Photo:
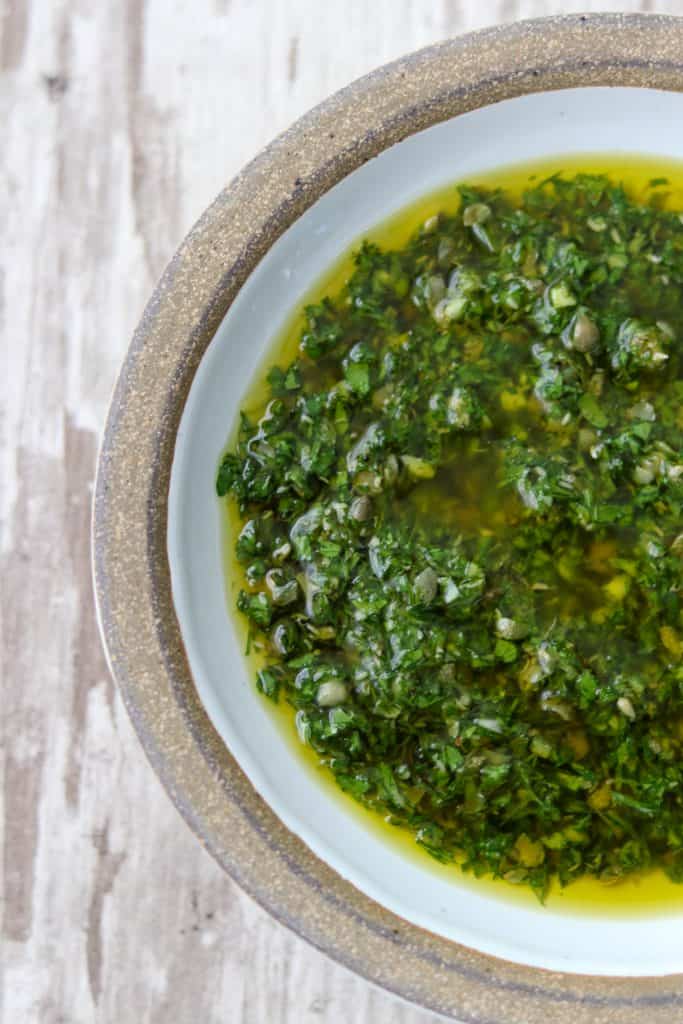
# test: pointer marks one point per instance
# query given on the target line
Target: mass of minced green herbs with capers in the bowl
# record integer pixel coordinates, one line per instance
(462, 533)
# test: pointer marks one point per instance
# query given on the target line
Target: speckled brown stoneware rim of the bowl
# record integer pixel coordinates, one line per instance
(132, 573)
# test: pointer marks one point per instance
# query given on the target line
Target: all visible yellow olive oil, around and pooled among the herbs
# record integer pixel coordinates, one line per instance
(458, 495)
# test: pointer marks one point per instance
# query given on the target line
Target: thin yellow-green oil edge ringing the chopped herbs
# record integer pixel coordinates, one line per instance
(645, 895)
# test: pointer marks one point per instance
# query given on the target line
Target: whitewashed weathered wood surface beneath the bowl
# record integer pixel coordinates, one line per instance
(121, 120)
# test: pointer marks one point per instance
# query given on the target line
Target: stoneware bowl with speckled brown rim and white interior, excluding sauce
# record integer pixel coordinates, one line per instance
(537, 91)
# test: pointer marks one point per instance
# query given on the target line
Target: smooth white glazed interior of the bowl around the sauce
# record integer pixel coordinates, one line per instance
(595, 120)
